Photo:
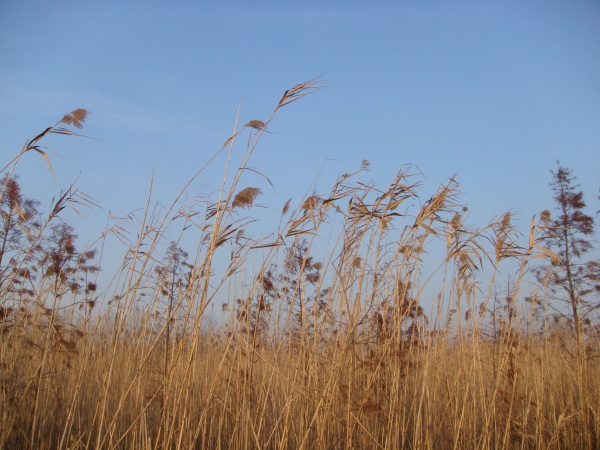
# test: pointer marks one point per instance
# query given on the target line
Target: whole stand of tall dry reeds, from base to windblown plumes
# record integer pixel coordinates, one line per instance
(368, 318)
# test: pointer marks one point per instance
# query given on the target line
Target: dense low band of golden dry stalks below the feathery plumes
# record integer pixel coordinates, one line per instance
(478, 395)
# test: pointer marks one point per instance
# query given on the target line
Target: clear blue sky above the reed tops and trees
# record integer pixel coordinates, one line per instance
(493, 91)
